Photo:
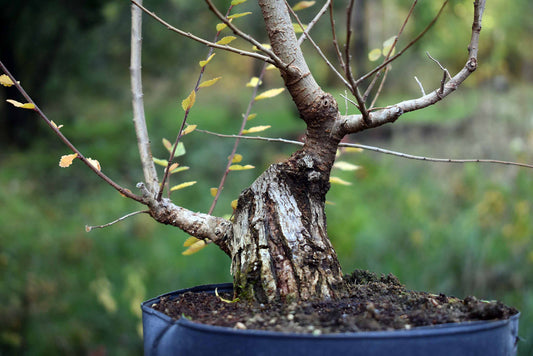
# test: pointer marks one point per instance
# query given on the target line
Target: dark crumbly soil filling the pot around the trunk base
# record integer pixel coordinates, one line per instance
(371, 303)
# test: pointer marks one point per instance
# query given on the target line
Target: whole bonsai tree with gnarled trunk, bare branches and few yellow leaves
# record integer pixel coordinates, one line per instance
(277, 237)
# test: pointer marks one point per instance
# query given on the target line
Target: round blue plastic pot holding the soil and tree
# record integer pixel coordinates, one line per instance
(164, 336)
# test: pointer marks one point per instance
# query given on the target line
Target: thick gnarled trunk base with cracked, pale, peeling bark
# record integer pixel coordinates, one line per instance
(280, 248)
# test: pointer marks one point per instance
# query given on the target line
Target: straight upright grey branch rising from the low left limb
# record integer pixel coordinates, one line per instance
(139, 119)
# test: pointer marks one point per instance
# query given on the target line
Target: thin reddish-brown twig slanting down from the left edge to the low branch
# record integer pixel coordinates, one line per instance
(123, 191)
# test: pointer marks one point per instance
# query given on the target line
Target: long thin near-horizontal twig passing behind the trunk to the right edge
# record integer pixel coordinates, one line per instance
(376, 149)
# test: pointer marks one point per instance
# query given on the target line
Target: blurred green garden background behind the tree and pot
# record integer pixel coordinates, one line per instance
(457, 229)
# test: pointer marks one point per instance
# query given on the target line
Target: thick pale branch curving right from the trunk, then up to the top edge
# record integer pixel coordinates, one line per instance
(355, 123)
